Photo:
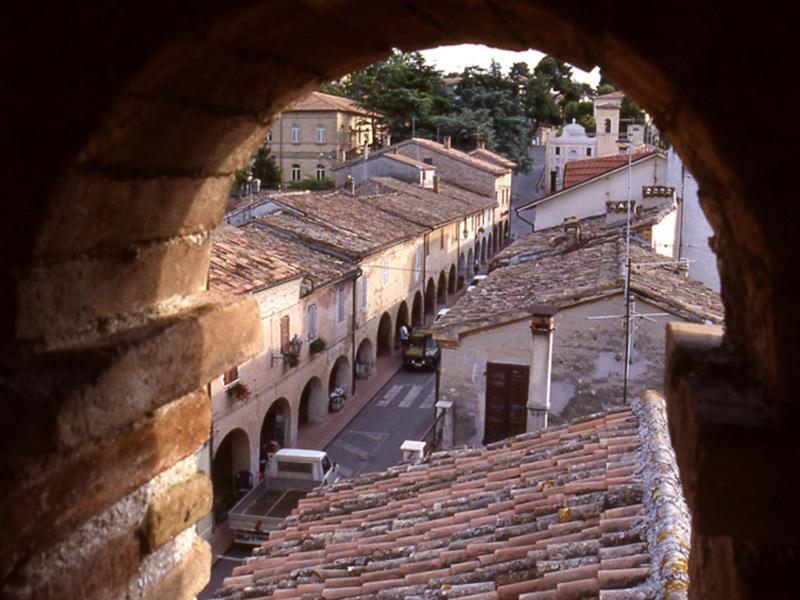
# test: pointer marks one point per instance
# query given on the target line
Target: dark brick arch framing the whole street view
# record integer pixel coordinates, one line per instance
(124, 165)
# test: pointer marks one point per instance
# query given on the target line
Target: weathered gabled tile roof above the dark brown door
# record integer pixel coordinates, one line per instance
(587, 273)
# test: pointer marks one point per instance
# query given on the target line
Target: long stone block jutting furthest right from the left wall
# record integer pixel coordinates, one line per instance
(62, 399)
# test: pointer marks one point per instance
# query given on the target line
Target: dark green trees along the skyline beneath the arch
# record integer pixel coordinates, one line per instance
(486, 105)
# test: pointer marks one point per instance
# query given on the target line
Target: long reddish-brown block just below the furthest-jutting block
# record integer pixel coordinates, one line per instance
(49, 505)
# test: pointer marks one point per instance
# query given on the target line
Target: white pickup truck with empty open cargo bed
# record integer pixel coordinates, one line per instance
(291, 474)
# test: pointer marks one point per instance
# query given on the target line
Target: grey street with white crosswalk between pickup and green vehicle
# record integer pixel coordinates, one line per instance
(402, 410)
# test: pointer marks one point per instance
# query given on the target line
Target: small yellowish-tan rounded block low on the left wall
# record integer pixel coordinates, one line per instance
(175, 510)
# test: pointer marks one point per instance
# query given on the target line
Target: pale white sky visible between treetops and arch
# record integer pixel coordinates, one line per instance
(455, 58)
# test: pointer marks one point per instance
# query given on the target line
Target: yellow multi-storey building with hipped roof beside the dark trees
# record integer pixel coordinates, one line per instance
(318, 132)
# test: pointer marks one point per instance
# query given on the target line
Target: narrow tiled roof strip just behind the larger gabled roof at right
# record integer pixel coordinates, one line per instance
(555, 240)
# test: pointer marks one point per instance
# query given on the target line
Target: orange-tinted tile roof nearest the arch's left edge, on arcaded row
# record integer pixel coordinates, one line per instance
(244, 261)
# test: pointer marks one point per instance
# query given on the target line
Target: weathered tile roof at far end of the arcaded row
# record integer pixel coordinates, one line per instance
(422, 205)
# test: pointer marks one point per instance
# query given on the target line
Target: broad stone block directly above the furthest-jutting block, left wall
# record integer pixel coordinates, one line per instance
(67, 297)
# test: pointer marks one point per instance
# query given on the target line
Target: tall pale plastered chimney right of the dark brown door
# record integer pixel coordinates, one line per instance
(541, 366)
